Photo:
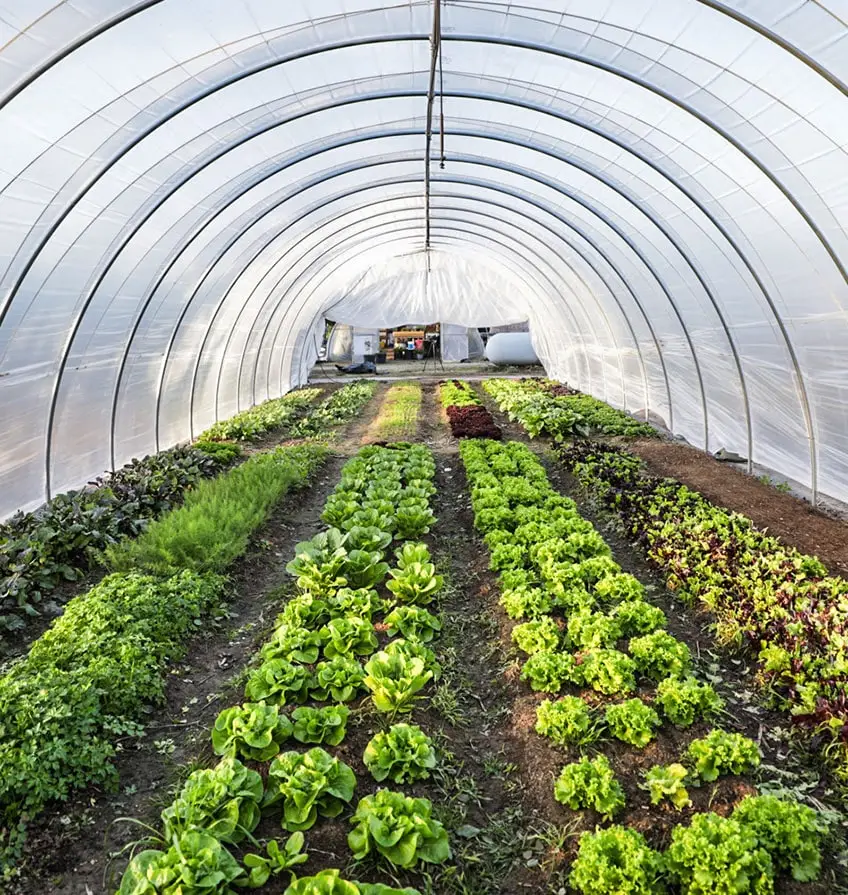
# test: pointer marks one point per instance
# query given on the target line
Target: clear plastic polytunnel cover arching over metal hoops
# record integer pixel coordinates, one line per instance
(187, 190)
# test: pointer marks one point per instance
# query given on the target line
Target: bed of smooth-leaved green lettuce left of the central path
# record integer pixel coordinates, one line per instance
(323, 662)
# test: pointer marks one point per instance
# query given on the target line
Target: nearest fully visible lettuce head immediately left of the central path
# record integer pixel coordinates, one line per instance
(400, 828)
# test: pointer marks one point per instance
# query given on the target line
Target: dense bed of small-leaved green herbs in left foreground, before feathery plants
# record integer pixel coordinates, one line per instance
(85, 681)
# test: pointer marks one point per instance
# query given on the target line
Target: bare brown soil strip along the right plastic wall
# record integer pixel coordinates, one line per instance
(793, 520)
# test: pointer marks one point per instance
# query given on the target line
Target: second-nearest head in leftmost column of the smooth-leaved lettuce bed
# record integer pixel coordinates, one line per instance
(223, 801)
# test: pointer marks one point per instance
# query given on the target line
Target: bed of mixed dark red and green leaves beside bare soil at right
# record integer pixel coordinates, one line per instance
(771, 599)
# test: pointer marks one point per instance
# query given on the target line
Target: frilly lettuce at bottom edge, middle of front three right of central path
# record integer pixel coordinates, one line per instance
(719, 856)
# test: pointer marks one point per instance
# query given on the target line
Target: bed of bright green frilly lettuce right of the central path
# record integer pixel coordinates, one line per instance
(628, 678)
